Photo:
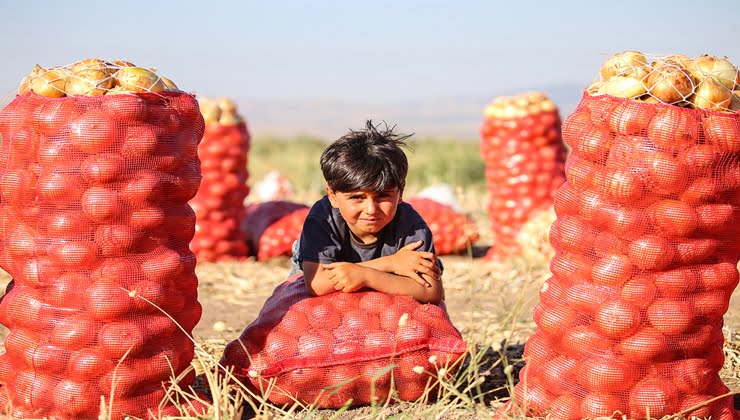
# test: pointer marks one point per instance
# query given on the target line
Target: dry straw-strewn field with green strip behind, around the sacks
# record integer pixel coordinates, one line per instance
(490, 303)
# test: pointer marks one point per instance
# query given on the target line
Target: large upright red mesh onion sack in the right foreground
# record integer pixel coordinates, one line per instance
(647, 243)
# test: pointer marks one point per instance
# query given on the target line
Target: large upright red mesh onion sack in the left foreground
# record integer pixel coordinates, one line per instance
(99, 160)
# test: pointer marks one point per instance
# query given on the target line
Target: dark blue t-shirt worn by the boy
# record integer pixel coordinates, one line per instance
(326, 237)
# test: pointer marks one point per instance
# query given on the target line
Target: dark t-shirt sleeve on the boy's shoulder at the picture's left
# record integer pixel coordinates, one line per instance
(319, 243)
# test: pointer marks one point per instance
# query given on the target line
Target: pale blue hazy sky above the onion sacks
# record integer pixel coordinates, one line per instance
(360, 51)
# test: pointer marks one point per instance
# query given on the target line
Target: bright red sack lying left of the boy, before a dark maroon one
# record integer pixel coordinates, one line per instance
(277, 238)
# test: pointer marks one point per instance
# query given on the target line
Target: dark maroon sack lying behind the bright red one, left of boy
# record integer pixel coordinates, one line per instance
(260, 216)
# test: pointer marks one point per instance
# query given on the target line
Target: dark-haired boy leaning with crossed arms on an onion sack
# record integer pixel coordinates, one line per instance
(360, 234)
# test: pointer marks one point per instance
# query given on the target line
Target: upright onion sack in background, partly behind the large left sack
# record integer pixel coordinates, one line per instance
(219, 204)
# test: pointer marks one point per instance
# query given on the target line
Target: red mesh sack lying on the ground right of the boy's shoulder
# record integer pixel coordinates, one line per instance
(453, 232)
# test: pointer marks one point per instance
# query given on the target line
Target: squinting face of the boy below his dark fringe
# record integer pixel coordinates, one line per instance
(366, 213)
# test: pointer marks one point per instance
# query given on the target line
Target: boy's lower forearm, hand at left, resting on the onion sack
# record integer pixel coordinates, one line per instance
(348, 277)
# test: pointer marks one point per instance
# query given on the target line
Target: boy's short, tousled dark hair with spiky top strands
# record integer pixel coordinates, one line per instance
(369, 160)
